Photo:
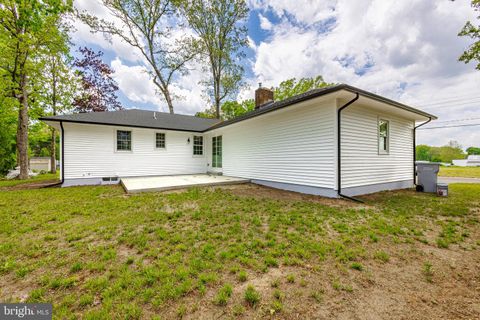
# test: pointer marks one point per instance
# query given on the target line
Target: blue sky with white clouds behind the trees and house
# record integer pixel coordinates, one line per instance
(404, 50)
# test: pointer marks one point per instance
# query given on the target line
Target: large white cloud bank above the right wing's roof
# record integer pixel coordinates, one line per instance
(405, 50)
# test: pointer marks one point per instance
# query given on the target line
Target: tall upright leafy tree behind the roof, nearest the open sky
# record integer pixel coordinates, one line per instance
(220, 26)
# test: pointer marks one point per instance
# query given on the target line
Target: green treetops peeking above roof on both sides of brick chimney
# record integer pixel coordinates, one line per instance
(286, 89)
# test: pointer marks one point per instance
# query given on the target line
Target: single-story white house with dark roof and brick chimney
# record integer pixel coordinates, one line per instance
(333, 141)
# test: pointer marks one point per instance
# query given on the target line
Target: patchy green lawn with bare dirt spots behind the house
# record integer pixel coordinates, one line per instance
(243, 251)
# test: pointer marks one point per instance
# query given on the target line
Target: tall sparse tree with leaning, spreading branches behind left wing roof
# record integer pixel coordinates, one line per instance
(146, 26)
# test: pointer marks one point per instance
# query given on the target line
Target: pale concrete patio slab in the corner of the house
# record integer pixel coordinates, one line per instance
(162, 183)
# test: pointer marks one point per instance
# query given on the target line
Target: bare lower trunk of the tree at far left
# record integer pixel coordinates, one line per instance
(22, 130)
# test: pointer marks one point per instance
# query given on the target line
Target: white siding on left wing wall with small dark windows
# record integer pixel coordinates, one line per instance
(90, 152)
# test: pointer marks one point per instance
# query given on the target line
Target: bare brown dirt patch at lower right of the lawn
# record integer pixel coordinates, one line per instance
(397, 289)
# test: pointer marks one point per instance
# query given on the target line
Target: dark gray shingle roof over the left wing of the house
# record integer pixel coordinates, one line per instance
(139, 118)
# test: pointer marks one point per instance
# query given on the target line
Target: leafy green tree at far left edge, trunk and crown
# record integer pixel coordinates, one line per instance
(25, 28)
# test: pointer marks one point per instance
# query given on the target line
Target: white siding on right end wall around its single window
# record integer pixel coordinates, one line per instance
(362, 163)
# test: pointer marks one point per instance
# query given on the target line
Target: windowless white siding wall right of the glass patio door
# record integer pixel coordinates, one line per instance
(294, 145)
